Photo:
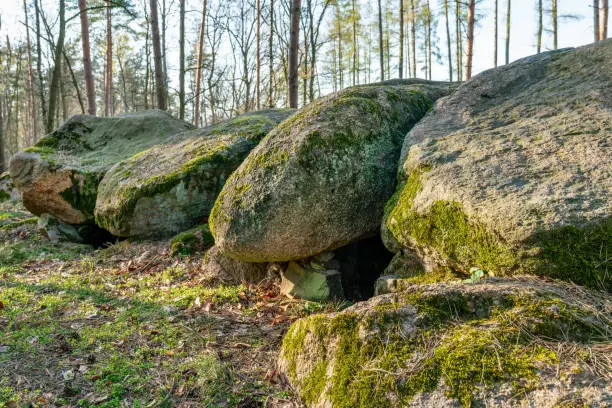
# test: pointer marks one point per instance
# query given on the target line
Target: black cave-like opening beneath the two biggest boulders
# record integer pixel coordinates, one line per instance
(361, 263)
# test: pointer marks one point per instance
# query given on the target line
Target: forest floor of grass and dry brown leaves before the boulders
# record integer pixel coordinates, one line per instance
(131, 326)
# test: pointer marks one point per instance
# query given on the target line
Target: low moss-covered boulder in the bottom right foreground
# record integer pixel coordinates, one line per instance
(502, 343)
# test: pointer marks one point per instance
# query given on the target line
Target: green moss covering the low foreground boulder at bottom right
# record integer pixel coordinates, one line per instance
(469, 341)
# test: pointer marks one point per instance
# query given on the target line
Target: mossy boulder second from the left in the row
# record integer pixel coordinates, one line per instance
(172, 187)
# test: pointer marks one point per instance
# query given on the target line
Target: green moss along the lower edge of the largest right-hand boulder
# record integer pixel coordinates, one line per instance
(576, 254)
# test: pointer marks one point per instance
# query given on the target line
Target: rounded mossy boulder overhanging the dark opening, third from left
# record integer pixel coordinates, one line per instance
(320, 179)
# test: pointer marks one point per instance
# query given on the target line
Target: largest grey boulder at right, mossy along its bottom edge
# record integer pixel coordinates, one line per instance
(512, 173)
